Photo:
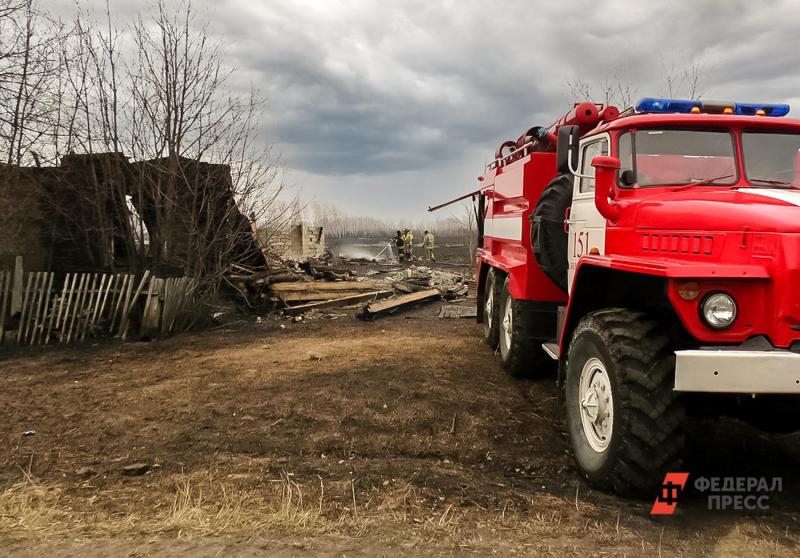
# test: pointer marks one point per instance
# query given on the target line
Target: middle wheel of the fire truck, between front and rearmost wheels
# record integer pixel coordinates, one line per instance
(520, 350)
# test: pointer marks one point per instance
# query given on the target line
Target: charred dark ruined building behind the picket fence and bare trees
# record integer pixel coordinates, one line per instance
(104, 212)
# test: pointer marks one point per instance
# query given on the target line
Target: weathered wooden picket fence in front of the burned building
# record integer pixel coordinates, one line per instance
(37, 308)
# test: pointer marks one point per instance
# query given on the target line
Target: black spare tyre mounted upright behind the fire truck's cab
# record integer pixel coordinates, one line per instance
(548, 237)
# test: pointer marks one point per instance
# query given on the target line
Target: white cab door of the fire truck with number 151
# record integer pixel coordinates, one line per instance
(587, 228)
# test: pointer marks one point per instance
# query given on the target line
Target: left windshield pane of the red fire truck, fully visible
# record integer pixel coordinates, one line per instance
(662, 157)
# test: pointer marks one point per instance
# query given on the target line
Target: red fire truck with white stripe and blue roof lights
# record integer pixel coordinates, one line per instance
(651, 261)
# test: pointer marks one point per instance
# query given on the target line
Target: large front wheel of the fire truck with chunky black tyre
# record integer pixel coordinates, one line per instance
(624, 419)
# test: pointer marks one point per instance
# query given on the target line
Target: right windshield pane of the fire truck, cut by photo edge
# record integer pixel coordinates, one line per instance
(771, 158)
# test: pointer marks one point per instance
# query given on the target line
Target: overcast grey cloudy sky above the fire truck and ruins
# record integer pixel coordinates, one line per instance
(388, 107)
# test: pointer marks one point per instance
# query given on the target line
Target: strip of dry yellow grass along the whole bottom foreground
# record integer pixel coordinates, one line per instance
(203, 506)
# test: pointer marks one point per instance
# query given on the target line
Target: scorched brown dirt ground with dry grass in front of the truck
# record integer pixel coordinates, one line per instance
(400, 436)
